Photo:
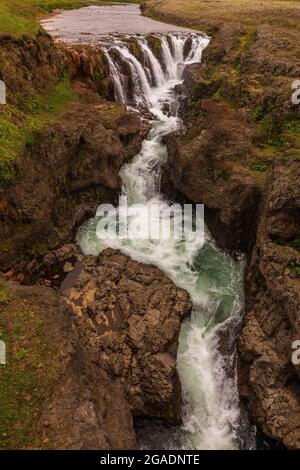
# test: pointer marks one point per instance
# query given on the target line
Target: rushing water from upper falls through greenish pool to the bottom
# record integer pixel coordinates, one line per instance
(206, 355)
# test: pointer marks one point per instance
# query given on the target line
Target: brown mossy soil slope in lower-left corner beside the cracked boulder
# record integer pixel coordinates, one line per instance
(52, 396)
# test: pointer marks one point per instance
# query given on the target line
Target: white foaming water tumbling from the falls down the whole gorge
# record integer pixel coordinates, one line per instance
(213, 279)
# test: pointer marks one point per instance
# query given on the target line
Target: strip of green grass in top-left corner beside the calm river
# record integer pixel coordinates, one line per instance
(20, 17)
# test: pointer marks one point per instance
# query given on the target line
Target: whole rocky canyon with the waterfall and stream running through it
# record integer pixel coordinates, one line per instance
(139, 343)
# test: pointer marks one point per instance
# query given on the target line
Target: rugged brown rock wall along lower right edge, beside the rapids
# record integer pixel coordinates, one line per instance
(269, 381)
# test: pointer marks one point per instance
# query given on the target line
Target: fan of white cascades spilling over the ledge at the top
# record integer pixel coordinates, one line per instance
(166, 65)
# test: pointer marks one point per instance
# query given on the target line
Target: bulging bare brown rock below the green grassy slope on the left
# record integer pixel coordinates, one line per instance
(72, 168)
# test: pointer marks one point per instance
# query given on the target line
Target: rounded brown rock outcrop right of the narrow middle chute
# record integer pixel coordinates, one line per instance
(209, 164)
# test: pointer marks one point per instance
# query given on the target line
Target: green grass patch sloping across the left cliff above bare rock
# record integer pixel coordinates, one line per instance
(18, 128)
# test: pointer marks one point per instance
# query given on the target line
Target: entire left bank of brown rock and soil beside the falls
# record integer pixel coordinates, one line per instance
(81, 362)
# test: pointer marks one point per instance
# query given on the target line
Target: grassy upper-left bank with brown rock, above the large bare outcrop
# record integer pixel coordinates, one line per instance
(33, 101)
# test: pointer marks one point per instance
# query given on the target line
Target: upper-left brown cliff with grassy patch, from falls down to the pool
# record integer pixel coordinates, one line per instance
(71, 164)
